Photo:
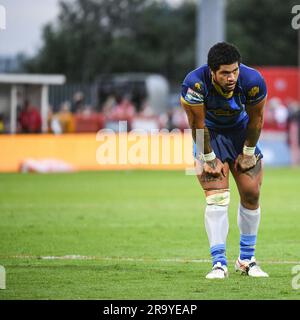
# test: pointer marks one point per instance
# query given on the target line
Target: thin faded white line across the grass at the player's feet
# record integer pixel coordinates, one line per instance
(173, 260)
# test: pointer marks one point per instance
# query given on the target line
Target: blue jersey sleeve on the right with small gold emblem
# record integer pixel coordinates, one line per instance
(256, 89)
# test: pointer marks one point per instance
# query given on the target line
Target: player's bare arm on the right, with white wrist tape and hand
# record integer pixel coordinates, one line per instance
(247, 159)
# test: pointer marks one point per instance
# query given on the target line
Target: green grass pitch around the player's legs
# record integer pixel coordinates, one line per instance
(142, 235)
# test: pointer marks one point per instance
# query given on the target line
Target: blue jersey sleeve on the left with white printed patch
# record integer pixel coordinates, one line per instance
(192, 92)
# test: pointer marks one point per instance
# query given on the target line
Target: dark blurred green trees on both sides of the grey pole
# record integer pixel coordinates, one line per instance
(92, 37)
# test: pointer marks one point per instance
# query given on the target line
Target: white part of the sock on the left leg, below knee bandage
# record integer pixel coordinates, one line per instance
(216, 224)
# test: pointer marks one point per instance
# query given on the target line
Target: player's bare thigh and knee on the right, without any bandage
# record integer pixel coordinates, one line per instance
(249, 182)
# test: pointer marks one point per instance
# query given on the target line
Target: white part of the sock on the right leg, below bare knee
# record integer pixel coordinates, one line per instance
(248, 220)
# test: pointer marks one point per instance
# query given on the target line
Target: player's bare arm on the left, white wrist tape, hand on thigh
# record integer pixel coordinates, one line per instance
(196, 118)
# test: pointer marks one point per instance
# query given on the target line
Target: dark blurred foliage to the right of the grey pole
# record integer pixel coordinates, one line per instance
(262, 30)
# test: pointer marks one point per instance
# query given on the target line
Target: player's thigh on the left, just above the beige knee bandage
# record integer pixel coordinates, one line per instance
(211, 184)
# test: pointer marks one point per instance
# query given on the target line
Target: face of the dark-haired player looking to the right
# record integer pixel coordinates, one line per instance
(227, 76)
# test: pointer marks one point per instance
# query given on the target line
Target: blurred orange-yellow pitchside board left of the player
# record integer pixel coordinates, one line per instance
(103, 151)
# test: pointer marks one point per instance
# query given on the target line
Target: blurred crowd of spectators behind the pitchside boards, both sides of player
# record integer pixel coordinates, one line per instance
(76, 116)
